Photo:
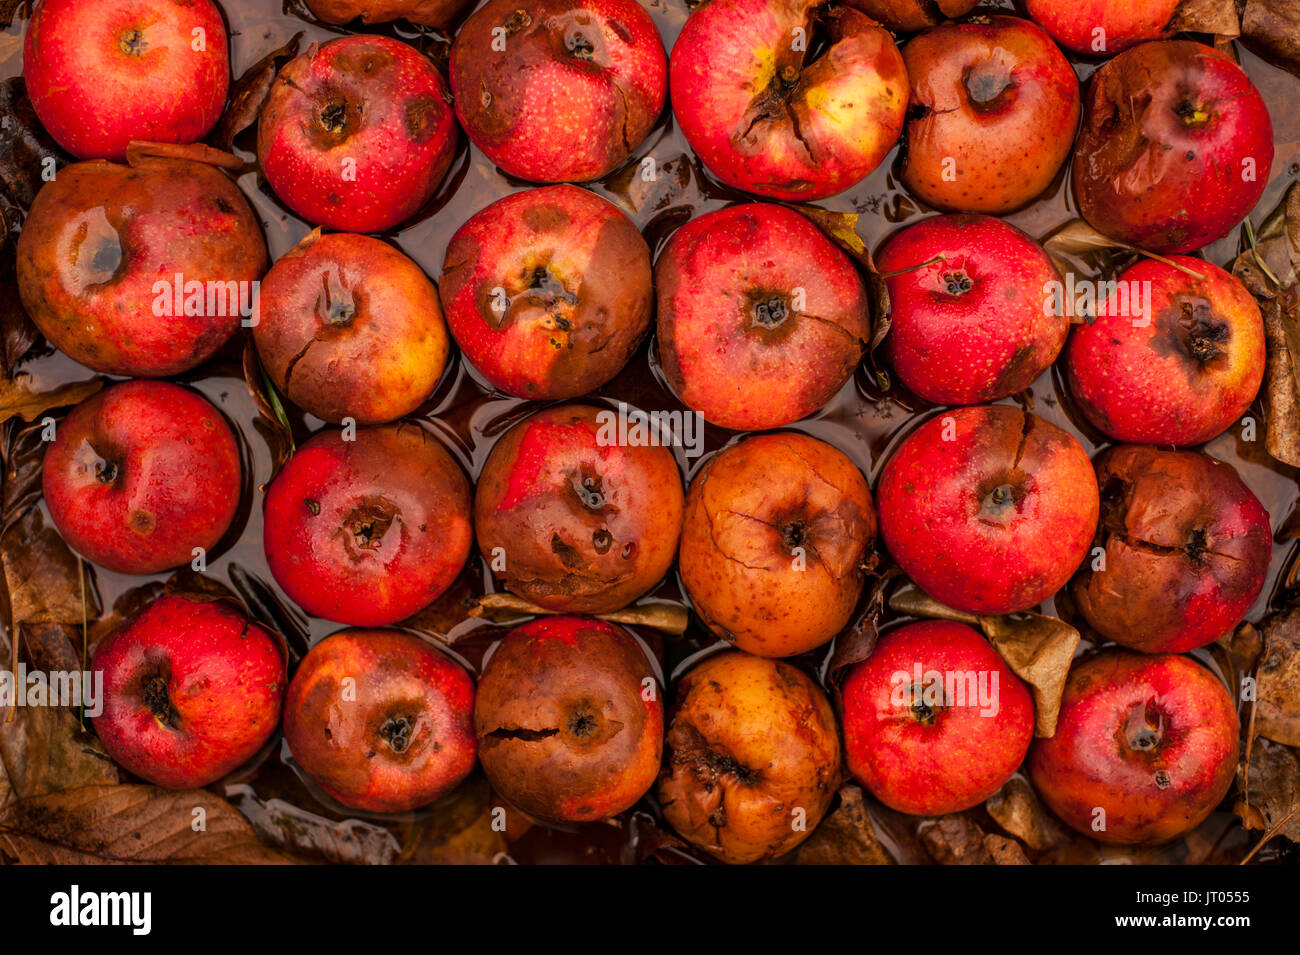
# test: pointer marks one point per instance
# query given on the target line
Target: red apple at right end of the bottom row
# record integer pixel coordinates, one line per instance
(1151, 740)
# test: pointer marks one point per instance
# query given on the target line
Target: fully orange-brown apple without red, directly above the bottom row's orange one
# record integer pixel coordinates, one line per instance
(775, 533)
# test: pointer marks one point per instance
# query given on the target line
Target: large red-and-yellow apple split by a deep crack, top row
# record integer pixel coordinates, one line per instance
(765, 121)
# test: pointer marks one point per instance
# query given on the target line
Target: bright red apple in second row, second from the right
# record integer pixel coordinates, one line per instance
(942, 342)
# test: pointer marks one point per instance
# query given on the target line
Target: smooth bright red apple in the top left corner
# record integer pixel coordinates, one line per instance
(101, 75)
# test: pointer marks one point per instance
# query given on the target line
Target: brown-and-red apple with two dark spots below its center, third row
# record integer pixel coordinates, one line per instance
(580, 524)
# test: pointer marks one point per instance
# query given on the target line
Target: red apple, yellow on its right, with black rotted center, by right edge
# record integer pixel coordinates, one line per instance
(1181, 379)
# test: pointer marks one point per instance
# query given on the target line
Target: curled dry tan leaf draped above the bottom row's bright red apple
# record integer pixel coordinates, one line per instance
(1037, 648)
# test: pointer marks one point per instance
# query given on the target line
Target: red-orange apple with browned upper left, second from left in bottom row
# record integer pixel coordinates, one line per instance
(400, 737)
